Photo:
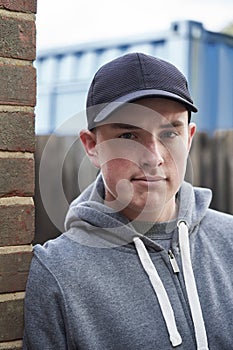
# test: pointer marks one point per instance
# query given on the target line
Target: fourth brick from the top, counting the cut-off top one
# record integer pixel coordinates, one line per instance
(17, 131)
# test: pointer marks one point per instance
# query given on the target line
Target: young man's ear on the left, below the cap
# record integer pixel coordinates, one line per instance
(88, 139)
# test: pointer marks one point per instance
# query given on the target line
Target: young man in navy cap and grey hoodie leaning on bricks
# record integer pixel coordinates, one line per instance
(144, 263)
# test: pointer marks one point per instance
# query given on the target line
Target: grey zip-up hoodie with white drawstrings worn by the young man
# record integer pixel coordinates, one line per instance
(103, 286)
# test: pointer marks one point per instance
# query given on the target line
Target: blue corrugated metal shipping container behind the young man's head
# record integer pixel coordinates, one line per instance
(206, 58)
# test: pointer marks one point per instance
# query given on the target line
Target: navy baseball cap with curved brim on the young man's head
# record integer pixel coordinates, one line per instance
(131, 77)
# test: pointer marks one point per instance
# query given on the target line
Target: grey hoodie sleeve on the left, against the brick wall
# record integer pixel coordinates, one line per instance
(44, 311)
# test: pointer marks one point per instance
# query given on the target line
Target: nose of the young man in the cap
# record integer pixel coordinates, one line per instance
(151, 156)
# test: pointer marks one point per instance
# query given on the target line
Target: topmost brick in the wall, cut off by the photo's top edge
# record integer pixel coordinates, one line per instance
(19, 5)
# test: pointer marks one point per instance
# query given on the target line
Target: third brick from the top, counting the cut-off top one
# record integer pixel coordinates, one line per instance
(18, 85)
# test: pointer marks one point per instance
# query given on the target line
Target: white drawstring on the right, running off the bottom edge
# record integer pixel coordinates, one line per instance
(194, 302)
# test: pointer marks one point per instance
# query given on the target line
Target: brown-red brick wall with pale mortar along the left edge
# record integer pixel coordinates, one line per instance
(17, 101)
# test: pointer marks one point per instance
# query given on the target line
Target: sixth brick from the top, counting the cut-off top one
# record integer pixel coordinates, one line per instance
(16, 221)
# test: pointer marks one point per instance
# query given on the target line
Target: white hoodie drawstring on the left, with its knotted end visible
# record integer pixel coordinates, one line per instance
(160, 291)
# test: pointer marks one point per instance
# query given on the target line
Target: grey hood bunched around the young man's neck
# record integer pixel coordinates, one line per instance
(89, 211)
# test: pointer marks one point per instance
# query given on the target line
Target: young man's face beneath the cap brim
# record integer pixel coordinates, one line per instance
(142, 152)
